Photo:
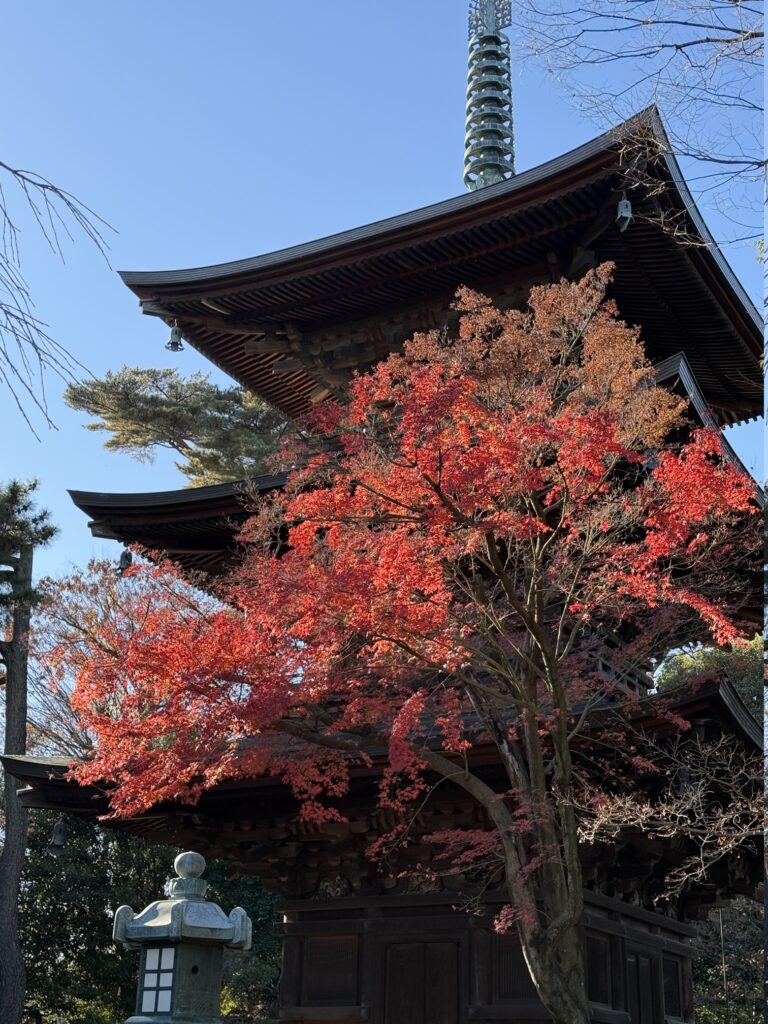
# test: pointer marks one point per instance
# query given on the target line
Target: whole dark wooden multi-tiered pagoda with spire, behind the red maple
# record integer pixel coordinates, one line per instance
(292, 326)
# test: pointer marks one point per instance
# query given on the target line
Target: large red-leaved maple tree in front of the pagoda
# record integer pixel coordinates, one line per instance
(497, 511)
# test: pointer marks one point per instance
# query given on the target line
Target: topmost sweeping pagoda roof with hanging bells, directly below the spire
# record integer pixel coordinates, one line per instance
(292, 325)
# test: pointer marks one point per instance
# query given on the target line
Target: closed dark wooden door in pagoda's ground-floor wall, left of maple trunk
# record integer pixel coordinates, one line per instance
(421, 984)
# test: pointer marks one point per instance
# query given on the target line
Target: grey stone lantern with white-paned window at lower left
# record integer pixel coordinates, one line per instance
(183, 942)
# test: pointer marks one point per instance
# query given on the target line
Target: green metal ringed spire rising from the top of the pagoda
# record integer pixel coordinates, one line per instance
(489, 145)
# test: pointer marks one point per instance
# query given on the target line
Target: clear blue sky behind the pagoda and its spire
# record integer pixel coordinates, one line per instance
(210, 133)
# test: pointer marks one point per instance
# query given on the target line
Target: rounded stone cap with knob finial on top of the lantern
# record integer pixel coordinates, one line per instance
(186, 916)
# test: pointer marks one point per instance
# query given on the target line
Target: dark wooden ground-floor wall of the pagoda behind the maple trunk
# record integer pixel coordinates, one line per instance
(421, 964)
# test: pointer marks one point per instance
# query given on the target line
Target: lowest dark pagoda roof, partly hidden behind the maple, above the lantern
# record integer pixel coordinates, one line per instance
(255, 825)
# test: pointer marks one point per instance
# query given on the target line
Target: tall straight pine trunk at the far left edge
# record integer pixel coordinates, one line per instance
(15, 653)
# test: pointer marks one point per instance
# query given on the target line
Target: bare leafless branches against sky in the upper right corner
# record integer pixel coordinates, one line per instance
(700, 62)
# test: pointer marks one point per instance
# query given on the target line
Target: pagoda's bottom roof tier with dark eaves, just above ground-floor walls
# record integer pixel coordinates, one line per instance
(255, 826)
